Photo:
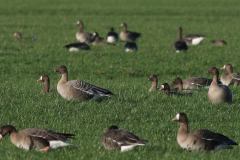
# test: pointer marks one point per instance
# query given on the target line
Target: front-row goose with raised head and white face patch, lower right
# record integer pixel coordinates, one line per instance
(200, 140)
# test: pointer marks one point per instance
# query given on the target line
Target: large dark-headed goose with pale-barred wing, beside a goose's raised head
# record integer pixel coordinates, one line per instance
(78, 90)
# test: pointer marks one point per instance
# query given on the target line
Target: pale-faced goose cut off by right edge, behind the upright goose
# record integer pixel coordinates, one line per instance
(229, 77)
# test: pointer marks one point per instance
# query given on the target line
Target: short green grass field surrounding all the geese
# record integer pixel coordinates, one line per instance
(147, 114)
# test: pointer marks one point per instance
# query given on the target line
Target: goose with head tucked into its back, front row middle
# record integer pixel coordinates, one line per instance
(118, 139)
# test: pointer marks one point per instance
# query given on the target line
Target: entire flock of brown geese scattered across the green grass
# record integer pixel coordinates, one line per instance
(119, 139)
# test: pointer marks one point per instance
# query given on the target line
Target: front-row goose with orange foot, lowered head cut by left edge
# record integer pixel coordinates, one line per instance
(33, 138)
